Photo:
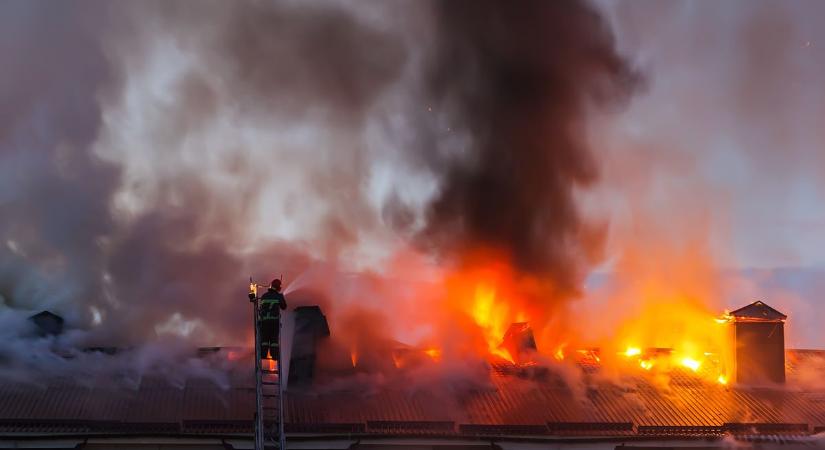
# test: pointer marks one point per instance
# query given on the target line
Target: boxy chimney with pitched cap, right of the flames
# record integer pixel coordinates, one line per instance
(759, 339)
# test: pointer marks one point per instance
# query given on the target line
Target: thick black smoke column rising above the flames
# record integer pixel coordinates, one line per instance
(519, 80)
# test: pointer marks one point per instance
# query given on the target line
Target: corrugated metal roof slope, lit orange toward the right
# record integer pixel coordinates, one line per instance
(507, 405)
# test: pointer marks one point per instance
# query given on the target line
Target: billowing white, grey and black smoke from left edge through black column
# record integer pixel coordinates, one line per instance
(153, 156)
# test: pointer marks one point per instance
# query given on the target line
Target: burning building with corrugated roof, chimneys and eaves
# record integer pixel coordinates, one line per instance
(508, 407)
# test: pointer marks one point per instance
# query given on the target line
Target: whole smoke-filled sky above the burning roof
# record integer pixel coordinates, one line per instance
(153, 152)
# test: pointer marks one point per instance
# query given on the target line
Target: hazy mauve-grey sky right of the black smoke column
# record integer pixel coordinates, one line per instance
(732, 116)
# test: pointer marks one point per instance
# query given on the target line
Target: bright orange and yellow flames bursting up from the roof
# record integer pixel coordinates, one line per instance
(659, 324)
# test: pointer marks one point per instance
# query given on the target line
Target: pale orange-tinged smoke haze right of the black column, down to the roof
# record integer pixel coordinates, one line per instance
(716, 166)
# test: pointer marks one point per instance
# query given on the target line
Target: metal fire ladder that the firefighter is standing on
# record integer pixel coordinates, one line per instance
(269, 392)
